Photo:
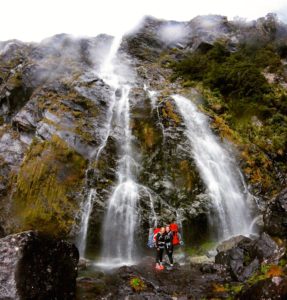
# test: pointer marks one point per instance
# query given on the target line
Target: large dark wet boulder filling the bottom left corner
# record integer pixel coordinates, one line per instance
(34, 266)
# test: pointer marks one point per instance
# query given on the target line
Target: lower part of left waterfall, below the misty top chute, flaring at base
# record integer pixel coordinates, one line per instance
(121, 218)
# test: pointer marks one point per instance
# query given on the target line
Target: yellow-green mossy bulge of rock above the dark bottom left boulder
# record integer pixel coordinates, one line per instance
(48, 176)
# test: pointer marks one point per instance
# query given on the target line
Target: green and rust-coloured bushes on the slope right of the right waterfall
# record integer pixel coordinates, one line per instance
(246, 100)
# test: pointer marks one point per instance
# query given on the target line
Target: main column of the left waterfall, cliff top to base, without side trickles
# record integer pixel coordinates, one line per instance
(121, 217)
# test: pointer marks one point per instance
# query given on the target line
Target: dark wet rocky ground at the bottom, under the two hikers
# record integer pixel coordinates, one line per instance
(243, 269)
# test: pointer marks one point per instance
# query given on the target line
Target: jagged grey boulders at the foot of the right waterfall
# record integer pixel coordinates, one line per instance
(243, 255)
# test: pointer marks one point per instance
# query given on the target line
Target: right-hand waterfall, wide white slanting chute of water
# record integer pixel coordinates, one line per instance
(218, 172)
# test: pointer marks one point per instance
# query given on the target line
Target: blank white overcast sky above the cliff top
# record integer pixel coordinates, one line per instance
(33, 20)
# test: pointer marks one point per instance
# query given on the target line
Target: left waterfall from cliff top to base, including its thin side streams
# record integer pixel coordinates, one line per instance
(122, 214)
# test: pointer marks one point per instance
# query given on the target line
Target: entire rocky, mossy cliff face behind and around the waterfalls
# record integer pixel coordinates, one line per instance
(53, 109)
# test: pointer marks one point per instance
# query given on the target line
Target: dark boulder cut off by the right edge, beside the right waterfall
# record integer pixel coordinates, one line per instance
(275, 218)
